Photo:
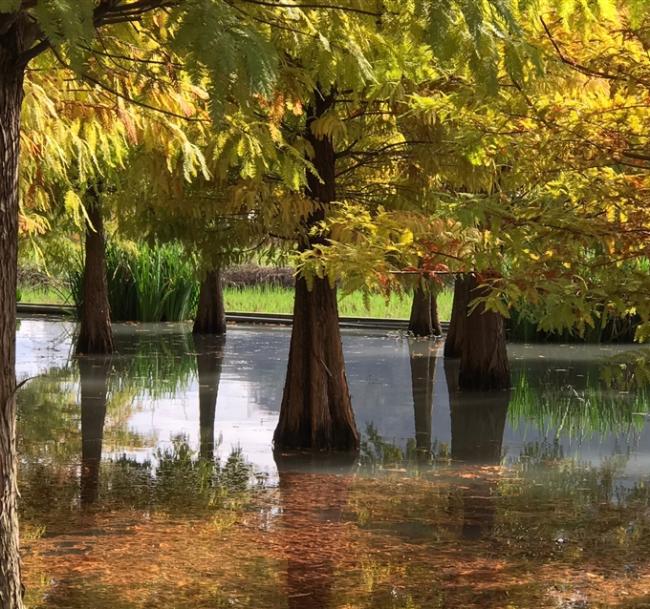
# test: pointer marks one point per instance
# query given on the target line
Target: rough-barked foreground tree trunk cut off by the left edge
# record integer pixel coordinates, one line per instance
(11, 95)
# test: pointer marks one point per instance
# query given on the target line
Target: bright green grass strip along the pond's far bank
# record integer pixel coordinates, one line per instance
(263, 299)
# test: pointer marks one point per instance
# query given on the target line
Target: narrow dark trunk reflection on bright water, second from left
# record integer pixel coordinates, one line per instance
(209, 360)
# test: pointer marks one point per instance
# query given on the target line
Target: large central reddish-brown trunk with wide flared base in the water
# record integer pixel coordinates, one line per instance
(316, 412)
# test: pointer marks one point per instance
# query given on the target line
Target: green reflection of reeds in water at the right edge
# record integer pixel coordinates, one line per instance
(562, 406)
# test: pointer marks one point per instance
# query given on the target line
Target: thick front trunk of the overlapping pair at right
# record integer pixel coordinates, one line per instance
(484, 358)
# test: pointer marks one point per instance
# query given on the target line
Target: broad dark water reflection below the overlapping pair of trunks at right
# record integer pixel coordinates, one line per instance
(477, 426)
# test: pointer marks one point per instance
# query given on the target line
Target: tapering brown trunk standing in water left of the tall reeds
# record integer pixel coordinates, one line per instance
(95, 335)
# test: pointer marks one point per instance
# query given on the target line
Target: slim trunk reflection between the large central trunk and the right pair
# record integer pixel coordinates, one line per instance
(423, 369)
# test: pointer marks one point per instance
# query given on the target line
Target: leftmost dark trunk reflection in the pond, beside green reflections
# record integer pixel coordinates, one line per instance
(93, 378)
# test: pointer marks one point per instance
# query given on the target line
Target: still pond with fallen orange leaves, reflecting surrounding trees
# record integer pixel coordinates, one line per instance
(148, 478)
